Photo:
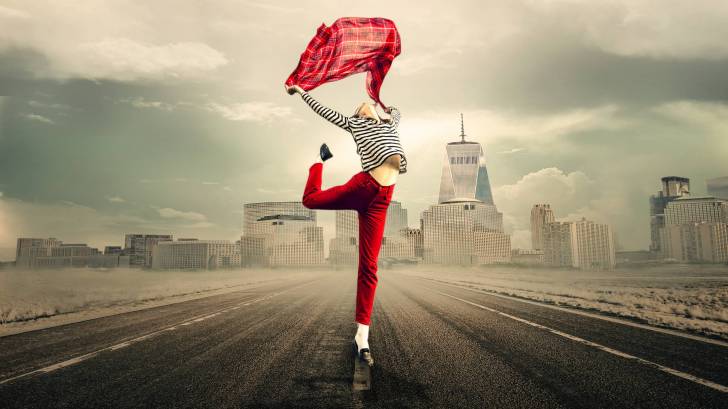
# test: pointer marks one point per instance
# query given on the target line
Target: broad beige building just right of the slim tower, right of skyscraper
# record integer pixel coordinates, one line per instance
(580, 244)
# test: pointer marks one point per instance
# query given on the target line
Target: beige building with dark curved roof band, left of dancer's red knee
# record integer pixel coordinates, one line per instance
(280, 234)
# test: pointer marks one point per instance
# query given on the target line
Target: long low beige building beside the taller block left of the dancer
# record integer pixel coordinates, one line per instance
(195, 254)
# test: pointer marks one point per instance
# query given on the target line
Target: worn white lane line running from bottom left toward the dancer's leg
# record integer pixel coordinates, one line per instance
(81, 358)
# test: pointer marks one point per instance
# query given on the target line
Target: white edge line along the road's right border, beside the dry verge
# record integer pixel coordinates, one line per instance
(587, 314)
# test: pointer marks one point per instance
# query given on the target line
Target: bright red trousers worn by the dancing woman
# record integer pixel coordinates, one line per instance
(370, 199)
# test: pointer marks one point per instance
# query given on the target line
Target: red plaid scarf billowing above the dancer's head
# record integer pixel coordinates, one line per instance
(350, 46)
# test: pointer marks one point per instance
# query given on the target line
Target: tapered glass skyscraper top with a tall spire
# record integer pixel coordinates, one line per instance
(464, 175)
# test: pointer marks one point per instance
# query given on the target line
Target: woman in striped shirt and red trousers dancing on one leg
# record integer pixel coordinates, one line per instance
(368, 192)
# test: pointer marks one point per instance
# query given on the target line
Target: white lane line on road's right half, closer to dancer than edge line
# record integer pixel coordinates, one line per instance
(671, 371)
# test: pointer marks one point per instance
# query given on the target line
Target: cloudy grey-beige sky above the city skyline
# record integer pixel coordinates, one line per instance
(167, 116)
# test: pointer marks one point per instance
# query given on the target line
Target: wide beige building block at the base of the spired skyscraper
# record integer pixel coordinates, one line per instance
(464, 231)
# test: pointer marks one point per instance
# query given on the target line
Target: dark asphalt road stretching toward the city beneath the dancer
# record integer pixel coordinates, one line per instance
(288, 344)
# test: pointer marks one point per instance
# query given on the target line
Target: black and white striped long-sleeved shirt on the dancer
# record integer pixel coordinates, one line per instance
(374, 141)
